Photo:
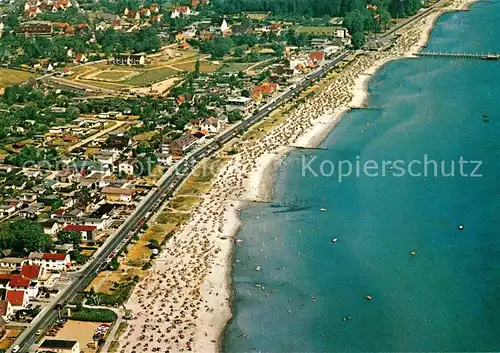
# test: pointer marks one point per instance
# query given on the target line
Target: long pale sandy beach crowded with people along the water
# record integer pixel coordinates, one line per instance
(185, 302)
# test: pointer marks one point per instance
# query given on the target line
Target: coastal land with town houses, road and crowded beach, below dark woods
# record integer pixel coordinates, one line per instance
(133, 132)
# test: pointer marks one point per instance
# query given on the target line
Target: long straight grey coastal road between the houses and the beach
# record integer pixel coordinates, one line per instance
(152, 201)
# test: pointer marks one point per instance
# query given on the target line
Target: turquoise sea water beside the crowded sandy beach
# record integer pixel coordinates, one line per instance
(447, 296)
